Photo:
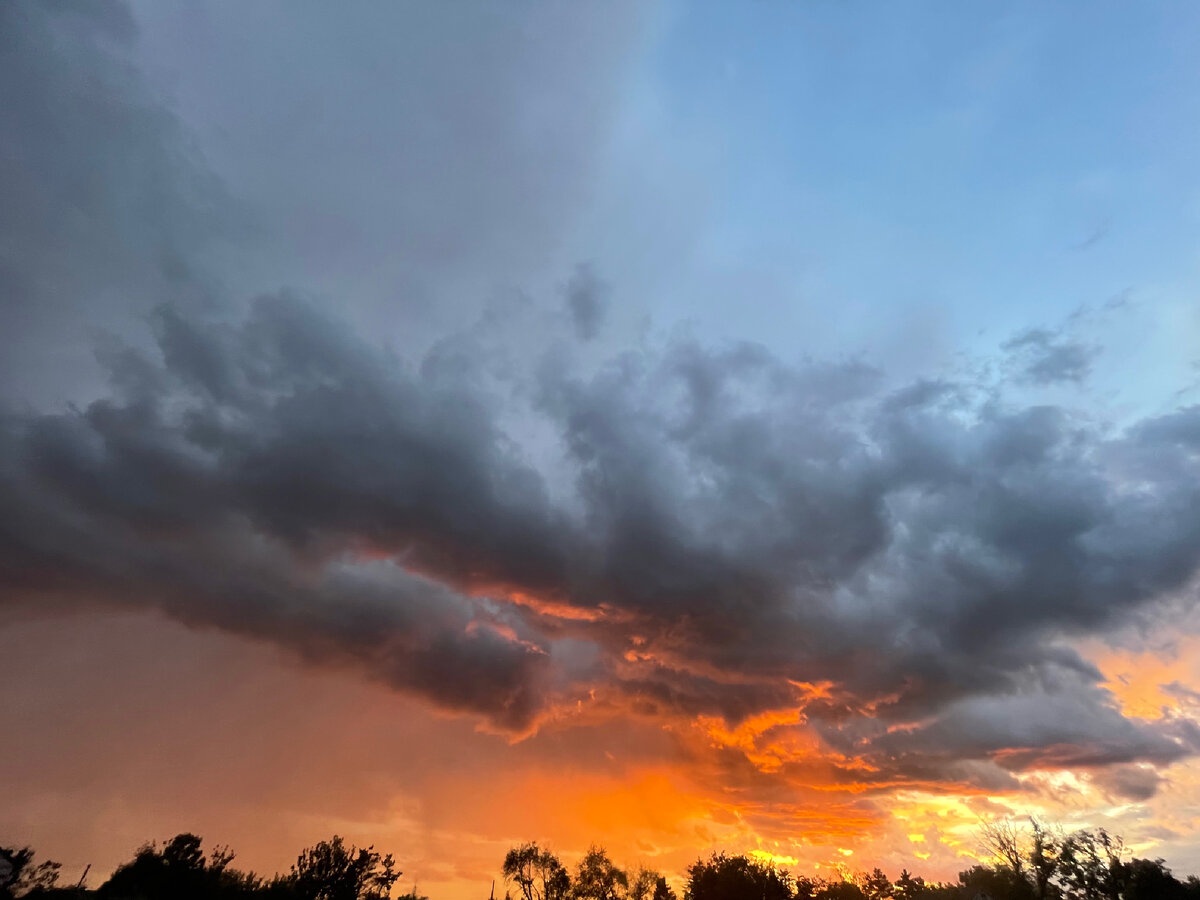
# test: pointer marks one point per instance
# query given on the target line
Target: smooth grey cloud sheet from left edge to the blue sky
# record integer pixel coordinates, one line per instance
(407, 165)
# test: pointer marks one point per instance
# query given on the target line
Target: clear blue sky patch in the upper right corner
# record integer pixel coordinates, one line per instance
(975, 167)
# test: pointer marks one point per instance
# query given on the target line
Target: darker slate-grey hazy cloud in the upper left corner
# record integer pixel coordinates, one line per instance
(109, 208)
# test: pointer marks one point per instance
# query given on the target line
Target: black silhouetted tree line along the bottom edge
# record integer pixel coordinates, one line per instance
(1033, 863)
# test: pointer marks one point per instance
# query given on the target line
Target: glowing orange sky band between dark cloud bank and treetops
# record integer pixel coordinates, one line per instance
(143, 729)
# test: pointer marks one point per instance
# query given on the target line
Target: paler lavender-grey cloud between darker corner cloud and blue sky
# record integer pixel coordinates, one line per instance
(407, 161)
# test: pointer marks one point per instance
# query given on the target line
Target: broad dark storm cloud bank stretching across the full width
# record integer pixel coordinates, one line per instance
(685, 530)
